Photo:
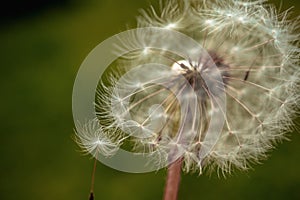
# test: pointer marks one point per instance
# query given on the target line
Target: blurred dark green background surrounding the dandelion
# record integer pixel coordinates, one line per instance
(42, 46)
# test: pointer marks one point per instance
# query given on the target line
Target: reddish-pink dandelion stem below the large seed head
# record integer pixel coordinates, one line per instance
(173, 180)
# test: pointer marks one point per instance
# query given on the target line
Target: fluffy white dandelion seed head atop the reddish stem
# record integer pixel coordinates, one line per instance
(249, 46)
